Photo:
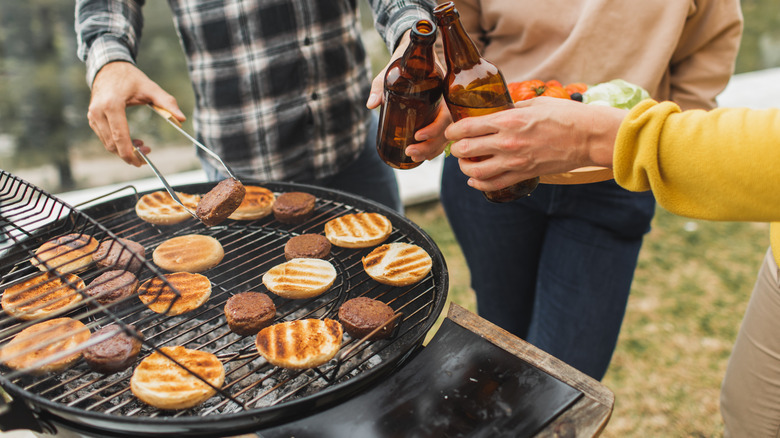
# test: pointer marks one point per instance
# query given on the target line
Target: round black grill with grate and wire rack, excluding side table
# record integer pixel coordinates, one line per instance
(255, 392)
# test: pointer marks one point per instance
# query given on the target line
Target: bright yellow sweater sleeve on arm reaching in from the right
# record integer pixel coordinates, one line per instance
(718, 165)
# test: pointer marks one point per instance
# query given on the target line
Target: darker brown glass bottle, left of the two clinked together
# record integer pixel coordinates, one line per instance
(413, 87)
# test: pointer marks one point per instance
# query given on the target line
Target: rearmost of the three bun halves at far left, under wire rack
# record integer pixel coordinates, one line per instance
(68, 253)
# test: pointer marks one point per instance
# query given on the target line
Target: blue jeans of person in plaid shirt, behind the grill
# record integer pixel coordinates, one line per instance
(368, 176)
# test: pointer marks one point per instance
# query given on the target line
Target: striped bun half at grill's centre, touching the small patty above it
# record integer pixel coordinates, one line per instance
(300, 278)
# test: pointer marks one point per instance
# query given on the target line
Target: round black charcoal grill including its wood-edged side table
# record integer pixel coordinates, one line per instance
(472, 379)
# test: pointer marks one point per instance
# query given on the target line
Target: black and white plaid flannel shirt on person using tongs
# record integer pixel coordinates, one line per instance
(280, 85)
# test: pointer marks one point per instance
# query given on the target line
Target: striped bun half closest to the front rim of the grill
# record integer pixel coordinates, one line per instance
(162, 383)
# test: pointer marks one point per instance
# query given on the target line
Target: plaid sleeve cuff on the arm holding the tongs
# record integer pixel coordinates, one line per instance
(107, 30)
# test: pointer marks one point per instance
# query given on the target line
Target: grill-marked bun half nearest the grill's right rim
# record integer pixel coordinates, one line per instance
(397, 264)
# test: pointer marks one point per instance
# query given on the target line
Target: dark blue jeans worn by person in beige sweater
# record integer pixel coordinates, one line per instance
(554, 268)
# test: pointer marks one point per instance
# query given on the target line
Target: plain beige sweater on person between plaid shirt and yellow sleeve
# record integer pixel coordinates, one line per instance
(680, 50)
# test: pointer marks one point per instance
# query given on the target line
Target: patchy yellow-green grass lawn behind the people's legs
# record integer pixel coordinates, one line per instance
(690, 291)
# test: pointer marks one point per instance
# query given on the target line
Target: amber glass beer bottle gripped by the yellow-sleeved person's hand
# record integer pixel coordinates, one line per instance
(473, 86)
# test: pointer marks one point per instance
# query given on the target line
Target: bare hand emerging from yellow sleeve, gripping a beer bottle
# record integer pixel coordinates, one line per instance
(540, 136)
